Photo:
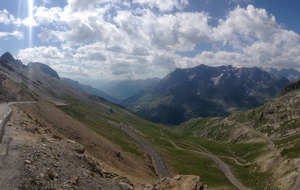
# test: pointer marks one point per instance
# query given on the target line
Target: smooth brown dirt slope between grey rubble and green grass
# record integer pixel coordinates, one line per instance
(109, 155)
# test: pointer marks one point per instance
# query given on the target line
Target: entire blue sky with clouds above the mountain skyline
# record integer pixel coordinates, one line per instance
(132, 39)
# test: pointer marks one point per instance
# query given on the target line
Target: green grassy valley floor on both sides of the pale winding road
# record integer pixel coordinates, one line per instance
(174, 144)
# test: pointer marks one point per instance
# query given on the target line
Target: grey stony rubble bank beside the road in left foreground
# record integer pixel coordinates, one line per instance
(37, 156)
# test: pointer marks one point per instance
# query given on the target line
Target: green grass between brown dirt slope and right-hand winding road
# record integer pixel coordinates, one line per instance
(101, 120)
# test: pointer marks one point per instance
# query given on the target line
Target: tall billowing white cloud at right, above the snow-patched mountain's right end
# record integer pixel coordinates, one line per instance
(255, 34)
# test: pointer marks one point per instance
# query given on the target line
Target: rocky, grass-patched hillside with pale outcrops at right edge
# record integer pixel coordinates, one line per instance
(261, 145)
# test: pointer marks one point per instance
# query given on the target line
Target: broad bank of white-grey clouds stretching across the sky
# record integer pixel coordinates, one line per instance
(141, 38)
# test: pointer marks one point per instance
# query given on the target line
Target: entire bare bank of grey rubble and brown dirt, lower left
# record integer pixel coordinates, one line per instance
(39, 150)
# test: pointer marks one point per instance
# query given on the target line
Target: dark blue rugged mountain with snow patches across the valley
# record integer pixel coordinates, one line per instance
(205, 91)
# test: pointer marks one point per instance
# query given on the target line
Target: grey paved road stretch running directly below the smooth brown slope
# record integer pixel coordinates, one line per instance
(160, 167)
